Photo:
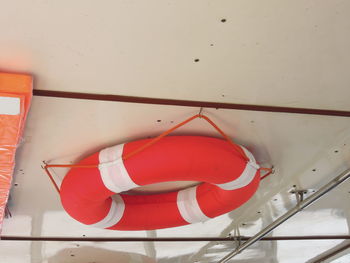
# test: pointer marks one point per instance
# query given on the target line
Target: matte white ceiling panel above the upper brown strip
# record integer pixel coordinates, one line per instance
(289, 53)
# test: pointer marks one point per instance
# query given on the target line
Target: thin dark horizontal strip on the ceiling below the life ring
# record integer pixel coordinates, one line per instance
(170, 239)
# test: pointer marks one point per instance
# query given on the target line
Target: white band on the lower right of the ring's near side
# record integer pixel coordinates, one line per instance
(188, 206)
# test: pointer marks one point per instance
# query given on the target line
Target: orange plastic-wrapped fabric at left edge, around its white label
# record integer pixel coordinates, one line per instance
(11, 128)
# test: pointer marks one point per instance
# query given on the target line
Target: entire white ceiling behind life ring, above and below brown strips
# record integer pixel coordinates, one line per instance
(278, 53)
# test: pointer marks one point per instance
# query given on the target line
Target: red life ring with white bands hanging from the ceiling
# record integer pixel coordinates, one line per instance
(95, 196)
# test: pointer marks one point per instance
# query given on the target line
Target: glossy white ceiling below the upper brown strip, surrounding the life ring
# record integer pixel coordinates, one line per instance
(64, 130)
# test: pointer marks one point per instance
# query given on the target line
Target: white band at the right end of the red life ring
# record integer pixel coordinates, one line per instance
(246, 177)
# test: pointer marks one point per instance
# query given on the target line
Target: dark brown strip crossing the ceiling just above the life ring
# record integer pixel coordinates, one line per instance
(188, 103)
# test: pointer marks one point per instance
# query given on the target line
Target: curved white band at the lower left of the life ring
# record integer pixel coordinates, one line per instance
(114, 215)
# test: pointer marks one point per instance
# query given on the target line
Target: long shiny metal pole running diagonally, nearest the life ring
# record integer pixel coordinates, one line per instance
(325, 189)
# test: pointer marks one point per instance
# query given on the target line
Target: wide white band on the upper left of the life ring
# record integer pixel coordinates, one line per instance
(112, 170)
